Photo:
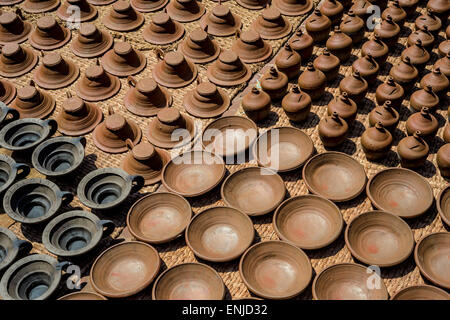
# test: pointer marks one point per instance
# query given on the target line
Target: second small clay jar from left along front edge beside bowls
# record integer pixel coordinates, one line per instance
(296, 105)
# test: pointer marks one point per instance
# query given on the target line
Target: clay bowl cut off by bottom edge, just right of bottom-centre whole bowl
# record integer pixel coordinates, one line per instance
(347, 281)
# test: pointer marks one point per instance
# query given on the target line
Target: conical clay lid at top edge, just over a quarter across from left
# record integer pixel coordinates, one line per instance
(122, 17)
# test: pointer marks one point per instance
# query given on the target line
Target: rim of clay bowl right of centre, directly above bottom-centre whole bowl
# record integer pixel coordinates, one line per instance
(280, 233)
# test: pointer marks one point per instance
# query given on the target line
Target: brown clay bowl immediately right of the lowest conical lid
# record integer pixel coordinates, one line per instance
(193, 173)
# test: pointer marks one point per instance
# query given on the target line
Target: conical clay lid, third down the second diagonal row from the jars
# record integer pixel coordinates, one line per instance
(250, 47)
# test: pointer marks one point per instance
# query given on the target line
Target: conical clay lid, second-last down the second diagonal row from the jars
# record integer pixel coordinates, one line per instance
(145, 97)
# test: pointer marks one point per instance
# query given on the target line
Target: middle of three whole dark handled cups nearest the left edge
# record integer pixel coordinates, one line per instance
(32, 201)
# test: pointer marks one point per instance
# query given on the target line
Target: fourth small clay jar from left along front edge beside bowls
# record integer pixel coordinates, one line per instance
(376, 142)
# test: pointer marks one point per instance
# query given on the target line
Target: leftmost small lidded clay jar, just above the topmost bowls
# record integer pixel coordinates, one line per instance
(256, 104)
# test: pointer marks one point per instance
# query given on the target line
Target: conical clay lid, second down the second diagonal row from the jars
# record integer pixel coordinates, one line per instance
(220, 21)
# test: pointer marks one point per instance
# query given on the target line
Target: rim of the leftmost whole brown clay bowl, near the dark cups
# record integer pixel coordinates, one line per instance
(125, 293)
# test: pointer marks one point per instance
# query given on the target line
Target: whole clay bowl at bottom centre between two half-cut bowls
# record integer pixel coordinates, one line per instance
(275, 270)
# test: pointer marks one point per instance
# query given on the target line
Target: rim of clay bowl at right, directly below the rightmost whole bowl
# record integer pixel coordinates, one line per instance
(387, 216)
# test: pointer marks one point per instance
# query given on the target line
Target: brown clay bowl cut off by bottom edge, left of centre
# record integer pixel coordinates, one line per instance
(189, 281)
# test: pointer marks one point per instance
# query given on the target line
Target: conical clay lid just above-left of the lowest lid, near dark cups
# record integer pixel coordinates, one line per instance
(110, 136)
